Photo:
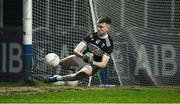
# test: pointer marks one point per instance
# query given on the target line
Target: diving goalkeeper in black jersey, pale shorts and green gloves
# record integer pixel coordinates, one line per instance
(95, 51)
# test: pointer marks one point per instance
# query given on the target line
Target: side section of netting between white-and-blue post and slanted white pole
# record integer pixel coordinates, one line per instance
(58, 26)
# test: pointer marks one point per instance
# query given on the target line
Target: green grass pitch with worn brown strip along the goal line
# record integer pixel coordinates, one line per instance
(12, 93)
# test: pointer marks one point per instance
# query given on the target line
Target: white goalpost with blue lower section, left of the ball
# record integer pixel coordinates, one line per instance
(27, 38)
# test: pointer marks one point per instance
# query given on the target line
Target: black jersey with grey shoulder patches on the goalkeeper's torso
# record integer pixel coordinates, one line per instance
(98, 46)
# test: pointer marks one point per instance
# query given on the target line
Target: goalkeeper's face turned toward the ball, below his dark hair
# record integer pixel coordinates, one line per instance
(103, 28)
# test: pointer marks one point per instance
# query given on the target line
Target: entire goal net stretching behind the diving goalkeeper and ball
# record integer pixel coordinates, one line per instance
(146, 36)
